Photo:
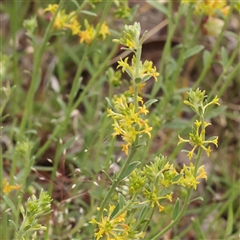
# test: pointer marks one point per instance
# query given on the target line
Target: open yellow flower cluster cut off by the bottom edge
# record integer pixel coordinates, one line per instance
(114, 228)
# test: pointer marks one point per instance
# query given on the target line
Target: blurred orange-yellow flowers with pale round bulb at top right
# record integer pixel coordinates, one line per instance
(212, 24)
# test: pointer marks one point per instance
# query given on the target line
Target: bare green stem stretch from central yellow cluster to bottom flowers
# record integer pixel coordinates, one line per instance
(116, 181)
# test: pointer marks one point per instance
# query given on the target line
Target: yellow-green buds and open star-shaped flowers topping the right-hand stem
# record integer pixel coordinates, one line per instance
(197, 101)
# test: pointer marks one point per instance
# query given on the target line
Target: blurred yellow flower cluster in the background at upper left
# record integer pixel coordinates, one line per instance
(69, 21)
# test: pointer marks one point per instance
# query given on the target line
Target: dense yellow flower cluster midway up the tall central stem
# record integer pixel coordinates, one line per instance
(128, 122)
